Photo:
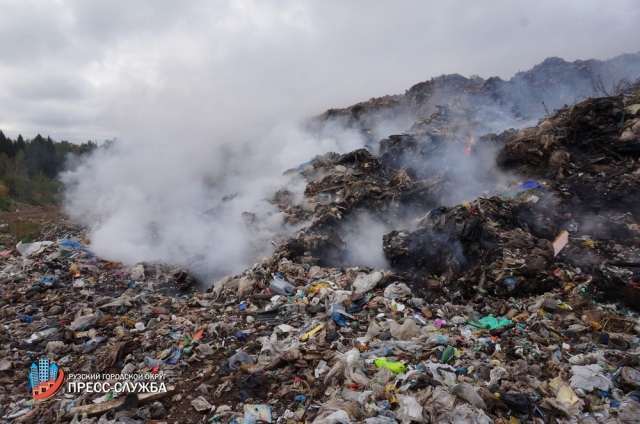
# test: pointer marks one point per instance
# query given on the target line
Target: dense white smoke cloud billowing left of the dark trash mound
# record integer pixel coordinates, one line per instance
(195, 193)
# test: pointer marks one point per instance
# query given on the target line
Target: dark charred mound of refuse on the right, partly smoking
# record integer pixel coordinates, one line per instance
(572, 179)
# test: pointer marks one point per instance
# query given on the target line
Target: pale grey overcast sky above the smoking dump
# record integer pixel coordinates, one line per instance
(80, 70)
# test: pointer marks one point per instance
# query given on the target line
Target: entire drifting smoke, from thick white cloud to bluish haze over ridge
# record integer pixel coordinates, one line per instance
(209, 200)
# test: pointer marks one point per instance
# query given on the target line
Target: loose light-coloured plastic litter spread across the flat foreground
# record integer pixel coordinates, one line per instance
(294, 342)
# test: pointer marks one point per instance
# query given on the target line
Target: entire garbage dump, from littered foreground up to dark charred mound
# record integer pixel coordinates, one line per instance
(515, 306)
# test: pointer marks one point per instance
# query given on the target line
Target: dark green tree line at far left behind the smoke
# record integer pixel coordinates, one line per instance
(28, 168)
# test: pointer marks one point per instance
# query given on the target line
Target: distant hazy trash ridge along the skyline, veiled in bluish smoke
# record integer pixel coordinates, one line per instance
(530, 94)
